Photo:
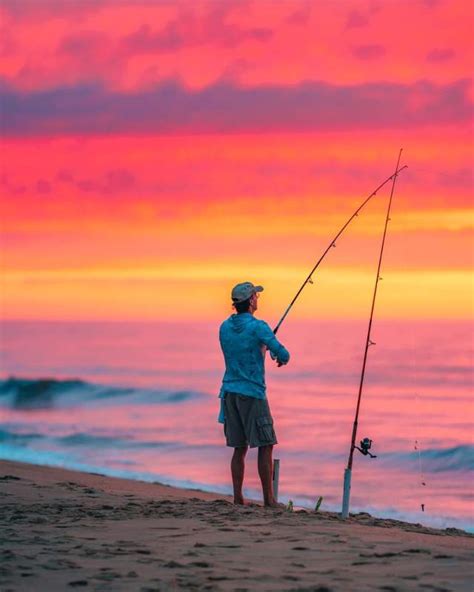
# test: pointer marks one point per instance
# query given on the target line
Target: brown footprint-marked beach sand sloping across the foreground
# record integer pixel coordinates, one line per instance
(61, 530)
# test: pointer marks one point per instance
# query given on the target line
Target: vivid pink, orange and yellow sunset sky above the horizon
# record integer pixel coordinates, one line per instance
(155, 153)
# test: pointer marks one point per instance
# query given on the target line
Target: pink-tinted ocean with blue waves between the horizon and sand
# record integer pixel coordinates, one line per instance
(139, 400)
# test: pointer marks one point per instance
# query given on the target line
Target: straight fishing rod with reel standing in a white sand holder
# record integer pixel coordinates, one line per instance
(366, 443)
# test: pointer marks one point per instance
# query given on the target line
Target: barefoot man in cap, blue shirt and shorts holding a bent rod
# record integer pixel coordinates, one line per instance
(244, 407)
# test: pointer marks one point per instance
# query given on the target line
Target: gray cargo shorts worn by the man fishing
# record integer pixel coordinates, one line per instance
(248, 422)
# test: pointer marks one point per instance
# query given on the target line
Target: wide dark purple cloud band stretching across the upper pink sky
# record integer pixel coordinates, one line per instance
(169, 108)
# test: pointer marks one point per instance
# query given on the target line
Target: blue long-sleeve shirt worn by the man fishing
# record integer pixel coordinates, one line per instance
(244, 341)
